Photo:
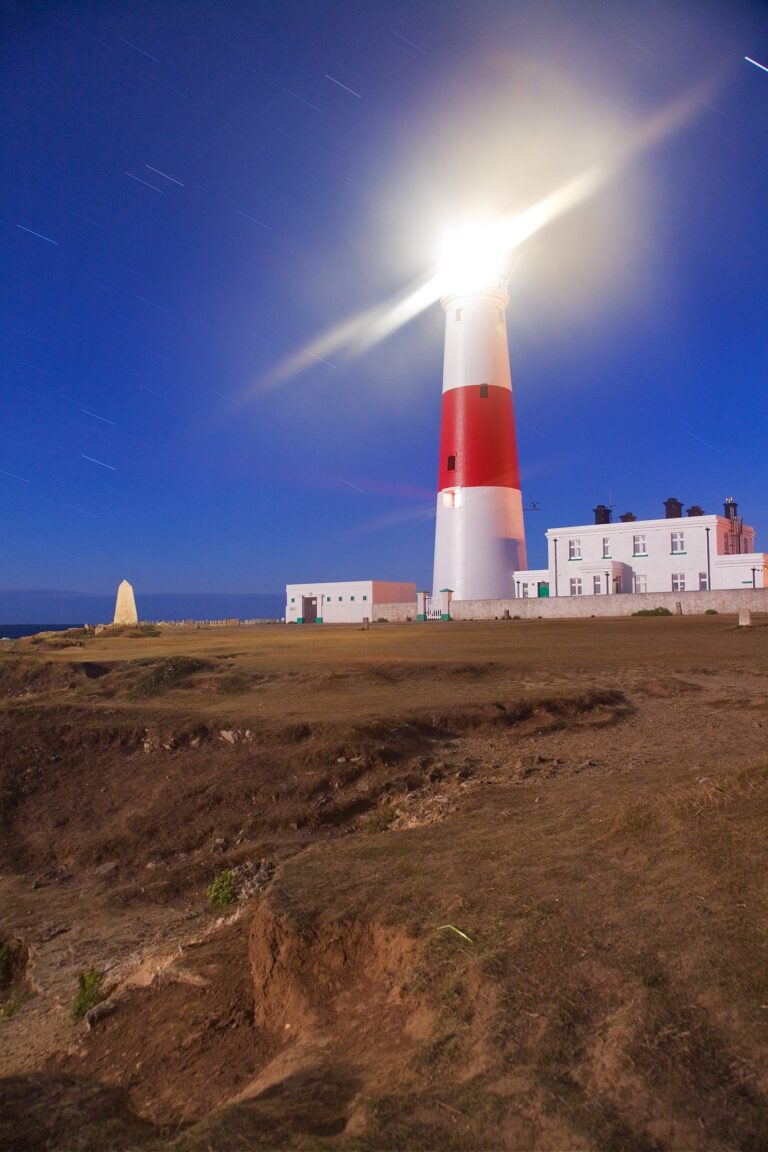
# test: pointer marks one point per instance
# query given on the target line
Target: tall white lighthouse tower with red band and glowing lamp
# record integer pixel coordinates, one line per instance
(480, 532)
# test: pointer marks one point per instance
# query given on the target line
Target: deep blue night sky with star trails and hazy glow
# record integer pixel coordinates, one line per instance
(217, 185)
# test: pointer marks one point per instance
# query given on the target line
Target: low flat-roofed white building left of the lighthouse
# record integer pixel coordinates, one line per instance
(343, 602)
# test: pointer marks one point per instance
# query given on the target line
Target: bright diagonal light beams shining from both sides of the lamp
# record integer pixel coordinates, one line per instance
(361, 332)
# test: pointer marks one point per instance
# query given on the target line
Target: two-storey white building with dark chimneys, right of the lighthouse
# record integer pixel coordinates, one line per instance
(675, 555)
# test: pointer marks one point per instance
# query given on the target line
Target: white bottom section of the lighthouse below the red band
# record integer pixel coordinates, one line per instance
(480, 543)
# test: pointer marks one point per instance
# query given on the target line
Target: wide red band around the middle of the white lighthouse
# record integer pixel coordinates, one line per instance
(477, 438)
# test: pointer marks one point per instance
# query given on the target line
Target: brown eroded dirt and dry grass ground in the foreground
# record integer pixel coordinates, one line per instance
(498, 886)
